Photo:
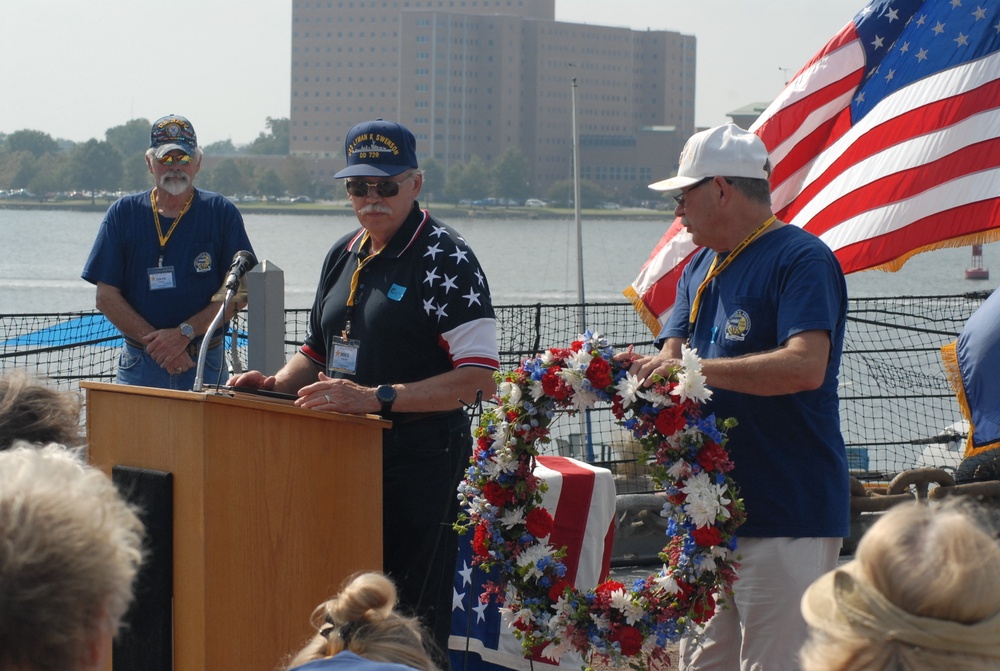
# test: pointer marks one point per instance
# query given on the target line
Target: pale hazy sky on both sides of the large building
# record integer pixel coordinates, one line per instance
(74, 69)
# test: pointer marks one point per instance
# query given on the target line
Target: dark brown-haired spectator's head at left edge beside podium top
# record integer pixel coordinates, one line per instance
(34, 412)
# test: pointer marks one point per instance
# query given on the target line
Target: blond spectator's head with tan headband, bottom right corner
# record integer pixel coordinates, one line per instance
(922, 593)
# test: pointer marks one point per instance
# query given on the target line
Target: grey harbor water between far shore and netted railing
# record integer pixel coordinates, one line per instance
(526, 260)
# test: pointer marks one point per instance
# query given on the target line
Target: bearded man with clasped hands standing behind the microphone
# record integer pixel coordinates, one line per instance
(159, 258)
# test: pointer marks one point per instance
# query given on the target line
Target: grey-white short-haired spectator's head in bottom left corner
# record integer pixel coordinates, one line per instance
(70, 548)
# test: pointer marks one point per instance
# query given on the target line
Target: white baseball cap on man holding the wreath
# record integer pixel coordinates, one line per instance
(724, 151)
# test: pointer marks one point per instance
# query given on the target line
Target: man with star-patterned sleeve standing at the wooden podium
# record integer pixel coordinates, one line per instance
(402, 325)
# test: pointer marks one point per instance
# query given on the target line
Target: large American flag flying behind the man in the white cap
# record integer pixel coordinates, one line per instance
(885, 144)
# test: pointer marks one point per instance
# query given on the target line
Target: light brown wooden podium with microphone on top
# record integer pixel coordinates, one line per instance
(273, 507)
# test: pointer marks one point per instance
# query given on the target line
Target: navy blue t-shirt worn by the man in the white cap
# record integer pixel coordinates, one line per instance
(788, 451)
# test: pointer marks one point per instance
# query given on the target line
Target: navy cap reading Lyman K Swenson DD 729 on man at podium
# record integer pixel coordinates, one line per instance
(379, 149)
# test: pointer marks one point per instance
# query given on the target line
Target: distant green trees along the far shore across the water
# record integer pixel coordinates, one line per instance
(65, 174)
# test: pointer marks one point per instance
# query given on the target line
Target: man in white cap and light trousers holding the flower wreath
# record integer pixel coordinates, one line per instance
(765, 306)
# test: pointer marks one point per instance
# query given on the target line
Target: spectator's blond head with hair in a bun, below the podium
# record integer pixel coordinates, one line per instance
(363, 619)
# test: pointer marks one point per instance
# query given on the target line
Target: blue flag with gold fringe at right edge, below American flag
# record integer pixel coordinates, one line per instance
(973, 366)
